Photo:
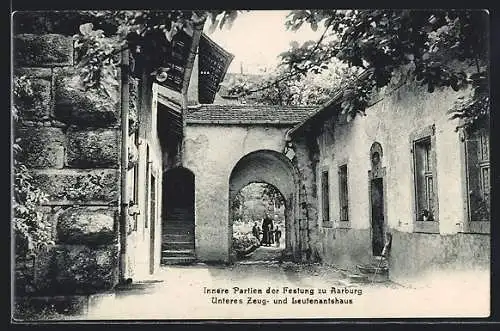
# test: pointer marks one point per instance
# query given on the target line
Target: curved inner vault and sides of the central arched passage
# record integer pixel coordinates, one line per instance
(267, 166)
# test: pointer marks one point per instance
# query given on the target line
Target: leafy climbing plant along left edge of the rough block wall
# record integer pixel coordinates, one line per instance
(31, 227)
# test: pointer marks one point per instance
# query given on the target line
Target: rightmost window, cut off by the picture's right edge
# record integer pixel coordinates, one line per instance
(477, 156)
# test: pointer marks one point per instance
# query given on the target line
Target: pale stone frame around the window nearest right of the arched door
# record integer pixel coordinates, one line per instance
(428, 132)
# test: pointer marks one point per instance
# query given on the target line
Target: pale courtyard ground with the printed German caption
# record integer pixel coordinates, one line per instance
(262, 287)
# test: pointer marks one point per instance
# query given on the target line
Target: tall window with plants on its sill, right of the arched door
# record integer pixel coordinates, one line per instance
(424, 170)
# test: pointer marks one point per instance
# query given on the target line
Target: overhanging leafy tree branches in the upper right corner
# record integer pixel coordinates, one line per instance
(435, 45)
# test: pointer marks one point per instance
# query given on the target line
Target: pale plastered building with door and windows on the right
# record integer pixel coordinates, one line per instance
(402, 169)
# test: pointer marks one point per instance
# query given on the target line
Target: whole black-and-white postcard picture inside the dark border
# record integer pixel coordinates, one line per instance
(250, 164)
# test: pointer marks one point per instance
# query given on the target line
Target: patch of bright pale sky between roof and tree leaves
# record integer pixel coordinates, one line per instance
(257, 38)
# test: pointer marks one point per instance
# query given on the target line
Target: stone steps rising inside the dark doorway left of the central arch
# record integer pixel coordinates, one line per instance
(178, 237)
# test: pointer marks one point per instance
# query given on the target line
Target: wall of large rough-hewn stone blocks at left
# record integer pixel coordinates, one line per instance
(71, 143)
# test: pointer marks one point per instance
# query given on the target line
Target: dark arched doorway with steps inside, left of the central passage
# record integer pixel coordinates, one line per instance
(178, 217)
